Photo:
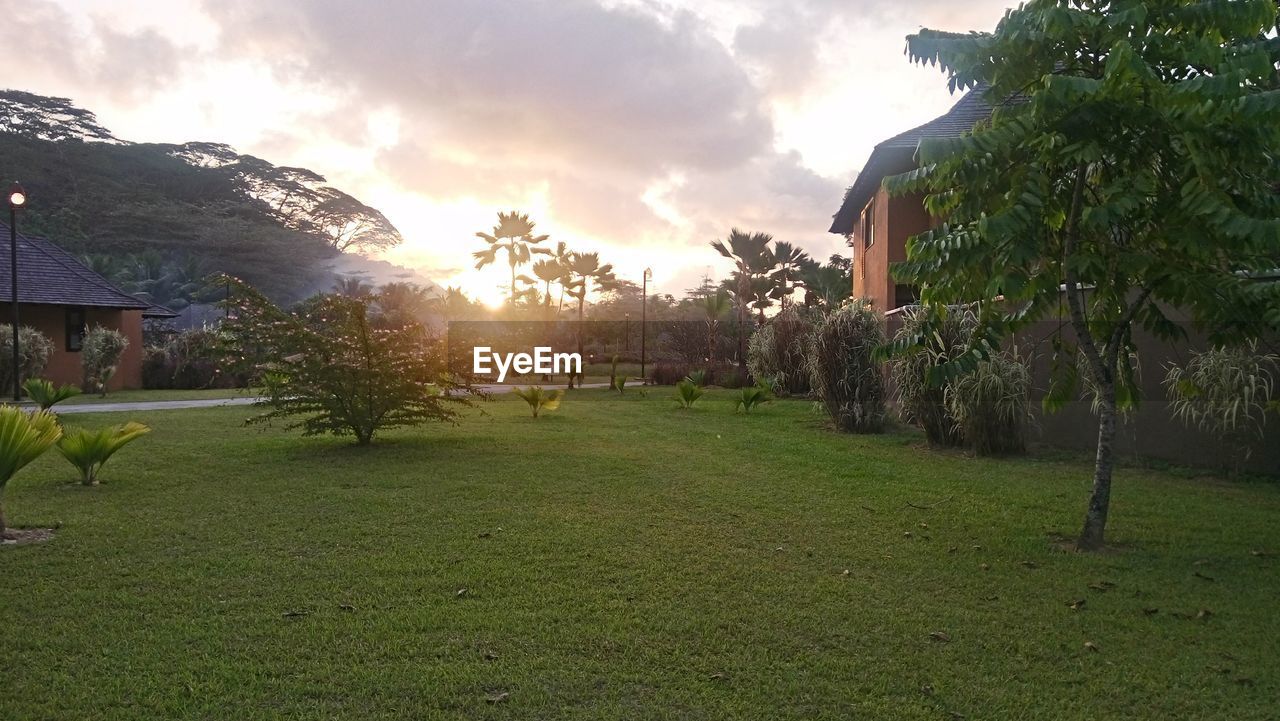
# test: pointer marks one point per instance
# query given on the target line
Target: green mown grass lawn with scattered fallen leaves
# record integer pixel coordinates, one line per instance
(623, 559)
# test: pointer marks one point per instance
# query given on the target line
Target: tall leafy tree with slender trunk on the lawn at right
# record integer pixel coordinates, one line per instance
(1130, 167)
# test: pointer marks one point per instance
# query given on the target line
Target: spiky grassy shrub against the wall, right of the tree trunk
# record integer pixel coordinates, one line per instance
(1226, 393)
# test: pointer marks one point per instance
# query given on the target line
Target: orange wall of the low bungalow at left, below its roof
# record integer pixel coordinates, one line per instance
(66, 367)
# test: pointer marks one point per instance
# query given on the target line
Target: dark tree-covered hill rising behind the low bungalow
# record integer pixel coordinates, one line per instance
(158, 218)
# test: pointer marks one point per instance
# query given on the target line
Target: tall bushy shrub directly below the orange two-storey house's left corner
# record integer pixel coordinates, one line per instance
(847, 377)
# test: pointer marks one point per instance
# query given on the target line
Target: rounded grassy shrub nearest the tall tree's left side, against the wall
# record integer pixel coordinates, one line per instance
(991, 407)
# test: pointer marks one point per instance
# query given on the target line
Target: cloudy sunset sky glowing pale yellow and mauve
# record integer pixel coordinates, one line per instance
(643, 130)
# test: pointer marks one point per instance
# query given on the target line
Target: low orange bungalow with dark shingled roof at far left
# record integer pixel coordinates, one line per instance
(62, 299)
